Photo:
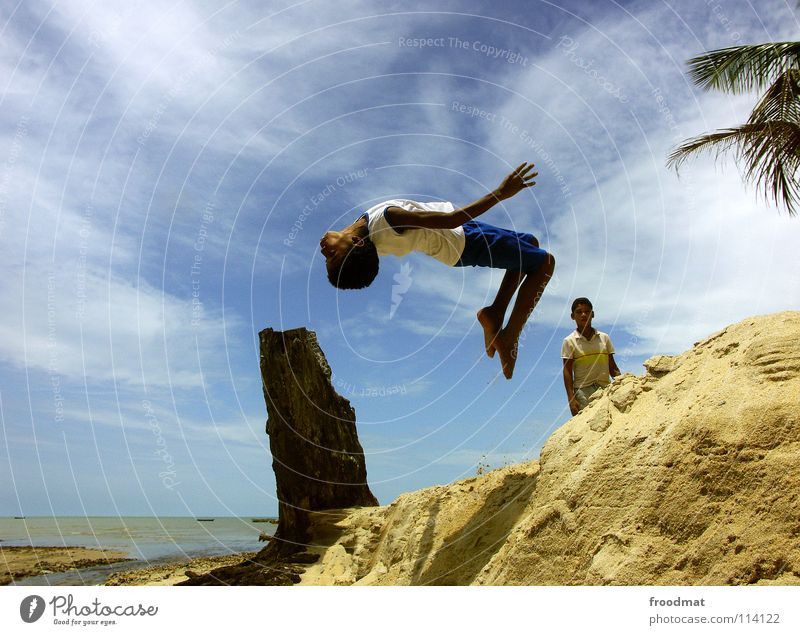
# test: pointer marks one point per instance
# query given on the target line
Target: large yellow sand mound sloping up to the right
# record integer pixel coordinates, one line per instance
(685, 475)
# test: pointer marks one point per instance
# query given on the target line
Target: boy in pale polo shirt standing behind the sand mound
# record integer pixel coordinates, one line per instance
(588, 356)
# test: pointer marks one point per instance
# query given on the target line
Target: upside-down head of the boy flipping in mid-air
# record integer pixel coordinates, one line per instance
(351, 260)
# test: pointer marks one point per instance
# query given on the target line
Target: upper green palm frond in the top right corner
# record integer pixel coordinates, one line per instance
(744, 68)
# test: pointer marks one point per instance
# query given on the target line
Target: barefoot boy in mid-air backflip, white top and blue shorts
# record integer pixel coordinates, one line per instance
(455, 238)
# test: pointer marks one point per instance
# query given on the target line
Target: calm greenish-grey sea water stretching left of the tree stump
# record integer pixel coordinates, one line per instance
(149, 541)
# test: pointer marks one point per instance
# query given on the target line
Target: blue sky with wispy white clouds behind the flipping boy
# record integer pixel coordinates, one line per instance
(166, 171)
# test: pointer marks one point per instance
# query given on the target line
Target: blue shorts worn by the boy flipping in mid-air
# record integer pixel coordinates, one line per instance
(489, 246)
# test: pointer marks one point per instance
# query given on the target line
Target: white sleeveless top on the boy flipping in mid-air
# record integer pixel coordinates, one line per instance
(446, 245)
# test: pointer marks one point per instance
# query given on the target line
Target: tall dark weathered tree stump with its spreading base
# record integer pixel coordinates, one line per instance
(317, 458)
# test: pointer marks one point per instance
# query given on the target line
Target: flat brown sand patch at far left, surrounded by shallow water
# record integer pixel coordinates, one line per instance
(21, 562)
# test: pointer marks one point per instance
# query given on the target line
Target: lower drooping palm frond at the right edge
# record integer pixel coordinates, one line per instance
(768, 153)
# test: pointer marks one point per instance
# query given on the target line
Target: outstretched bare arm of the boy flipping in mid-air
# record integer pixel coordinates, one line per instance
(514, 183)
